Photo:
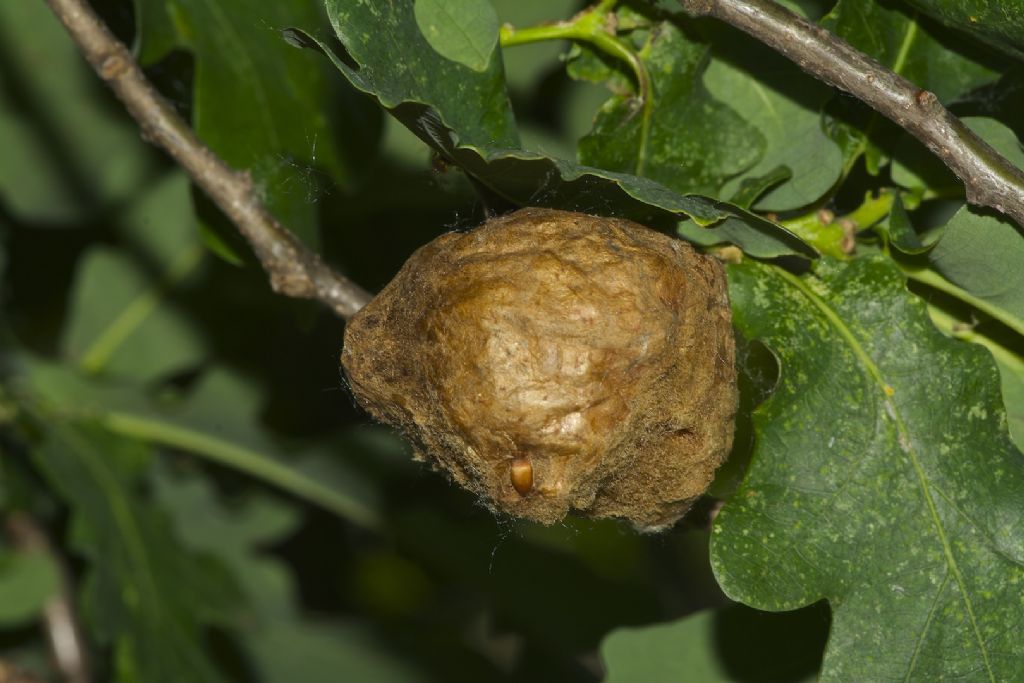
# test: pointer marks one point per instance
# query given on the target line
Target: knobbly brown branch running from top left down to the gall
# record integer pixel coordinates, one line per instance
(294, 271)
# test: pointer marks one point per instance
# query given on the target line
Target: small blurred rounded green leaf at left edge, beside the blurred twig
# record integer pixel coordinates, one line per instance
(28, 580)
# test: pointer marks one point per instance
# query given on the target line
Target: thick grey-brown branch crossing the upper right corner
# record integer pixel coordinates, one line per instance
(990, 180)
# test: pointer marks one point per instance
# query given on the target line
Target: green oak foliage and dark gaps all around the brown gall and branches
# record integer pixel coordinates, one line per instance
(225, 511)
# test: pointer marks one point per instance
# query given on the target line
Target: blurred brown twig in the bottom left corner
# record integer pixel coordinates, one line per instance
(60, 616)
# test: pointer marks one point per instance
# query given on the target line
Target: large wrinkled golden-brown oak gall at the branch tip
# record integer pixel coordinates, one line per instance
(552, 362)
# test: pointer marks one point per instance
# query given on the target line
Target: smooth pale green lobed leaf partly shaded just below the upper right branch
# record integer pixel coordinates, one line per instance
(786, 106)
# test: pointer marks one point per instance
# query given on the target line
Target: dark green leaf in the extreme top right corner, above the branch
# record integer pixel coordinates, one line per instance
(997, 24)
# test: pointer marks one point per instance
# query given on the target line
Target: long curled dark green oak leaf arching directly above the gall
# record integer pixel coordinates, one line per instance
(473, 125)
